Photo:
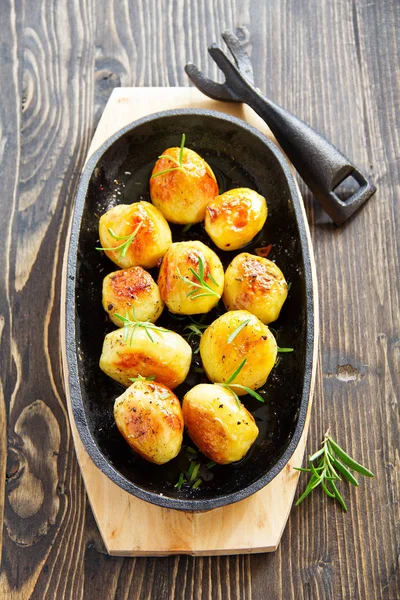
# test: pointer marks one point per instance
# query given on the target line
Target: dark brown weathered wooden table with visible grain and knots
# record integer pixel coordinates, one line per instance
(335, 64)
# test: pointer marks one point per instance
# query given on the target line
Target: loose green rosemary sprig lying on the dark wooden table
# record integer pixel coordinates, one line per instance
(332, 461)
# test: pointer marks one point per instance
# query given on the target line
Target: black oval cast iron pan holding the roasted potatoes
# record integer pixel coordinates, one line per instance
(119, 173)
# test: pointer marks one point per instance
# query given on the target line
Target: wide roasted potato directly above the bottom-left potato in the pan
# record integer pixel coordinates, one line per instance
(130, 352)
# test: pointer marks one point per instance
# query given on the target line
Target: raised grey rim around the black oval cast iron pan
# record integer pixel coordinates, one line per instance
(77, 403)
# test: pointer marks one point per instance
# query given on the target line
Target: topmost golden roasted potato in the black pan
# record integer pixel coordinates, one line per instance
(182, 195)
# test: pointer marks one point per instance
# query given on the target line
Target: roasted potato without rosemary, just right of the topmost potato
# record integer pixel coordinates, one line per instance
(235, 217)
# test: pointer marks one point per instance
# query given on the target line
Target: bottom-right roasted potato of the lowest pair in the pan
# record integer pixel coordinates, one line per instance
(221, 429)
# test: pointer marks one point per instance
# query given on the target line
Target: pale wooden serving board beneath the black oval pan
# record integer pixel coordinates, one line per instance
(132, 527)
